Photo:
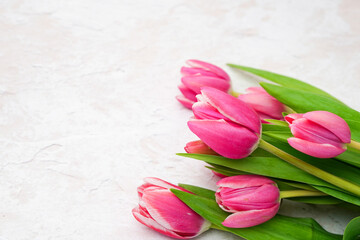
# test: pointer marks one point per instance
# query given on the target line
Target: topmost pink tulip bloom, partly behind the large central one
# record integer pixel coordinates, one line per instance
(198, 75)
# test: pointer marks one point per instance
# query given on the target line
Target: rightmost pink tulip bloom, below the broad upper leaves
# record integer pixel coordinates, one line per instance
(319, 134)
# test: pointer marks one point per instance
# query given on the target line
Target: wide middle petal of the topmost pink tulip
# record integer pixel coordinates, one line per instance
(196, 83)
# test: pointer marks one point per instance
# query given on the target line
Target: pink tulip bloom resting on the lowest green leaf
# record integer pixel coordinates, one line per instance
(252, 199)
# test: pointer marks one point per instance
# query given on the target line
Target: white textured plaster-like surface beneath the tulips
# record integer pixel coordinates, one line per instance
(87, 104)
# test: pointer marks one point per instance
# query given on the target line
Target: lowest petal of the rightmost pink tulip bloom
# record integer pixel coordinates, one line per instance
(319, 150)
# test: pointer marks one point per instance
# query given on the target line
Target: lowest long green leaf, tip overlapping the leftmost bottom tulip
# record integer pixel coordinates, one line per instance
(278, 228)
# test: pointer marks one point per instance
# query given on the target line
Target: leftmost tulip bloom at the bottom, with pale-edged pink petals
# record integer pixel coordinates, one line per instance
(162, 211)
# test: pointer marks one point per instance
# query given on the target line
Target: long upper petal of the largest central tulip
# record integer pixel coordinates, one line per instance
(232, 108)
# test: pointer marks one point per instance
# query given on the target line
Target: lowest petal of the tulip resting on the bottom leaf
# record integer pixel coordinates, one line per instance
(250, 218)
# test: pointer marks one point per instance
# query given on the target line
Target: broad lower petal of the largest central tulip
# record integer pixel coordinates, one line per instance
(224, 138)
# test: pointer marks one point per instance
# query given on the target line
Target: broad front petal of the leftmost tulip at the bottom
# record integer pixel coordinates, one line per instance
(171, 213)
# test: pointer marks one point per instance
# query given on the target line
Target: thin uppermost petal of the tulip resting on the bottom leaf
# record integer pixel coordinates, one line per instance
(243, 181)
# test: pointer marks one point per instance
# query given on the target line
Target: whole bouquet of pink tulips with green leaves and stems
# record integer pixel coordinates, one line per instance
(284, 140)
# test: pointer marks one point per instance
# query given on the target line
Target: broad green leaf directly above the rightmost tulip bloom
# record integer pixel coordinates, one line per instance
(302, 101)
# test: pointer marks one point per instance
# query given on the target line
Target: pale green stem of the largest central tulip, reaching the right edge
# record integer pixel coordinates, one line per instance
(339, 182)
